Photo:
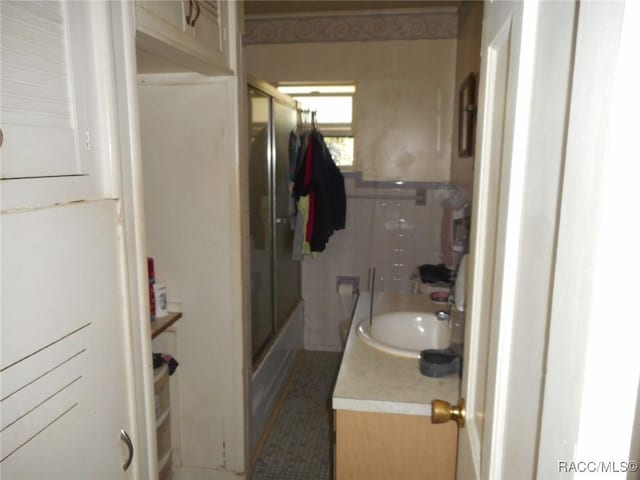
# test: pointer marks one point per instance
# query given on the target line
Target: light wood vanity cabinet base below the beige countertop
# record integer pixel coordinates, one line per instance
(381, 446)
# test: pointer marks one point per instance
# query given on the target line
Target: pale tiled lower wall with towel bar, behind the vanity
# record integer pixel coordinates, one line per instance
(395, 236)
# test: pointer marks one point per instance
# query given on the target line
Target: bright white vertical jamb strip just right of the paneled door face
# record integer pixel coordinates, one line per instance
(548, 39)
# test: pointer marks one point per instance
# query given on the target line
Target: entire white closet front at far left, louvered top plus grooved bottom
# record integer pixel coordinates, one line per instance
(64, 357)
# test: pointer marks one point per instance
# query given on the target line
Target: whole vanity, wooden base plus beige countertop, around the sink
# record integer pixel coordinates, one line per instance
(382, 407)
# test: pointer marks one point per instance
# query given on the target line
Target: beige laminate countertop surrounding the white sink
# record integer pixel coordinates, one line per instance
(372, 381)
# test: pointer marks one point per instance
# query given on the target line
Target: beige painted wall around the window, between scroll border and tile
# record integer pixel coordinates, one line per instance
(404, 101)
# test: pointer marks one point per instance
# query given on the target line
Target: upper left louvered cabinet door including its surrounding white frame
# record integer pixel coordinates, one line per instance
(56, 103)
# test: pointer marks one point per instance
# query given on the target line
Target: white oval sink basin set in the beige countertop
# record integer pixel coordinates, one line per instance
(405, 334)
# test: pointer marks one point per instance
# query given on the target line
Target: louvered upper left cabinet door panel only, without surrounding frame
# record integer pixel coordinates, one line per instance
(43, 117)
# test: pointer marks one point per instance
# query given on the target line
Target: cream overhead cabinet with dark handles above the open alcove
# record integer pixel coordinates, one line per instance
(192, 34)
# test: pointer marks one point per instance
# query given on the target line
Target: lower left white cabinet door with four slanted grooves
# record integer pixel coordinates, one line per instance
(64, 358)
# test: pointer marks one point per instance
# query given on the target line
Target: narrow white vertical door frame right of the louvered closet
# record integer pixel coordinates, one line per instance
(142, 402)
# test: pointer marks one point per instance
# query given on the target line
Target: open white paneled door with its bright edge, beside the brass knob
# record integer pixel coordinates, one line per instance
(527, 51)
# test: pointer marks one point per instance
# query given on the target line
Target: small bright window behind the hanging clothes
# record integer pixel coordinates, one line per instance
(333, 105)
